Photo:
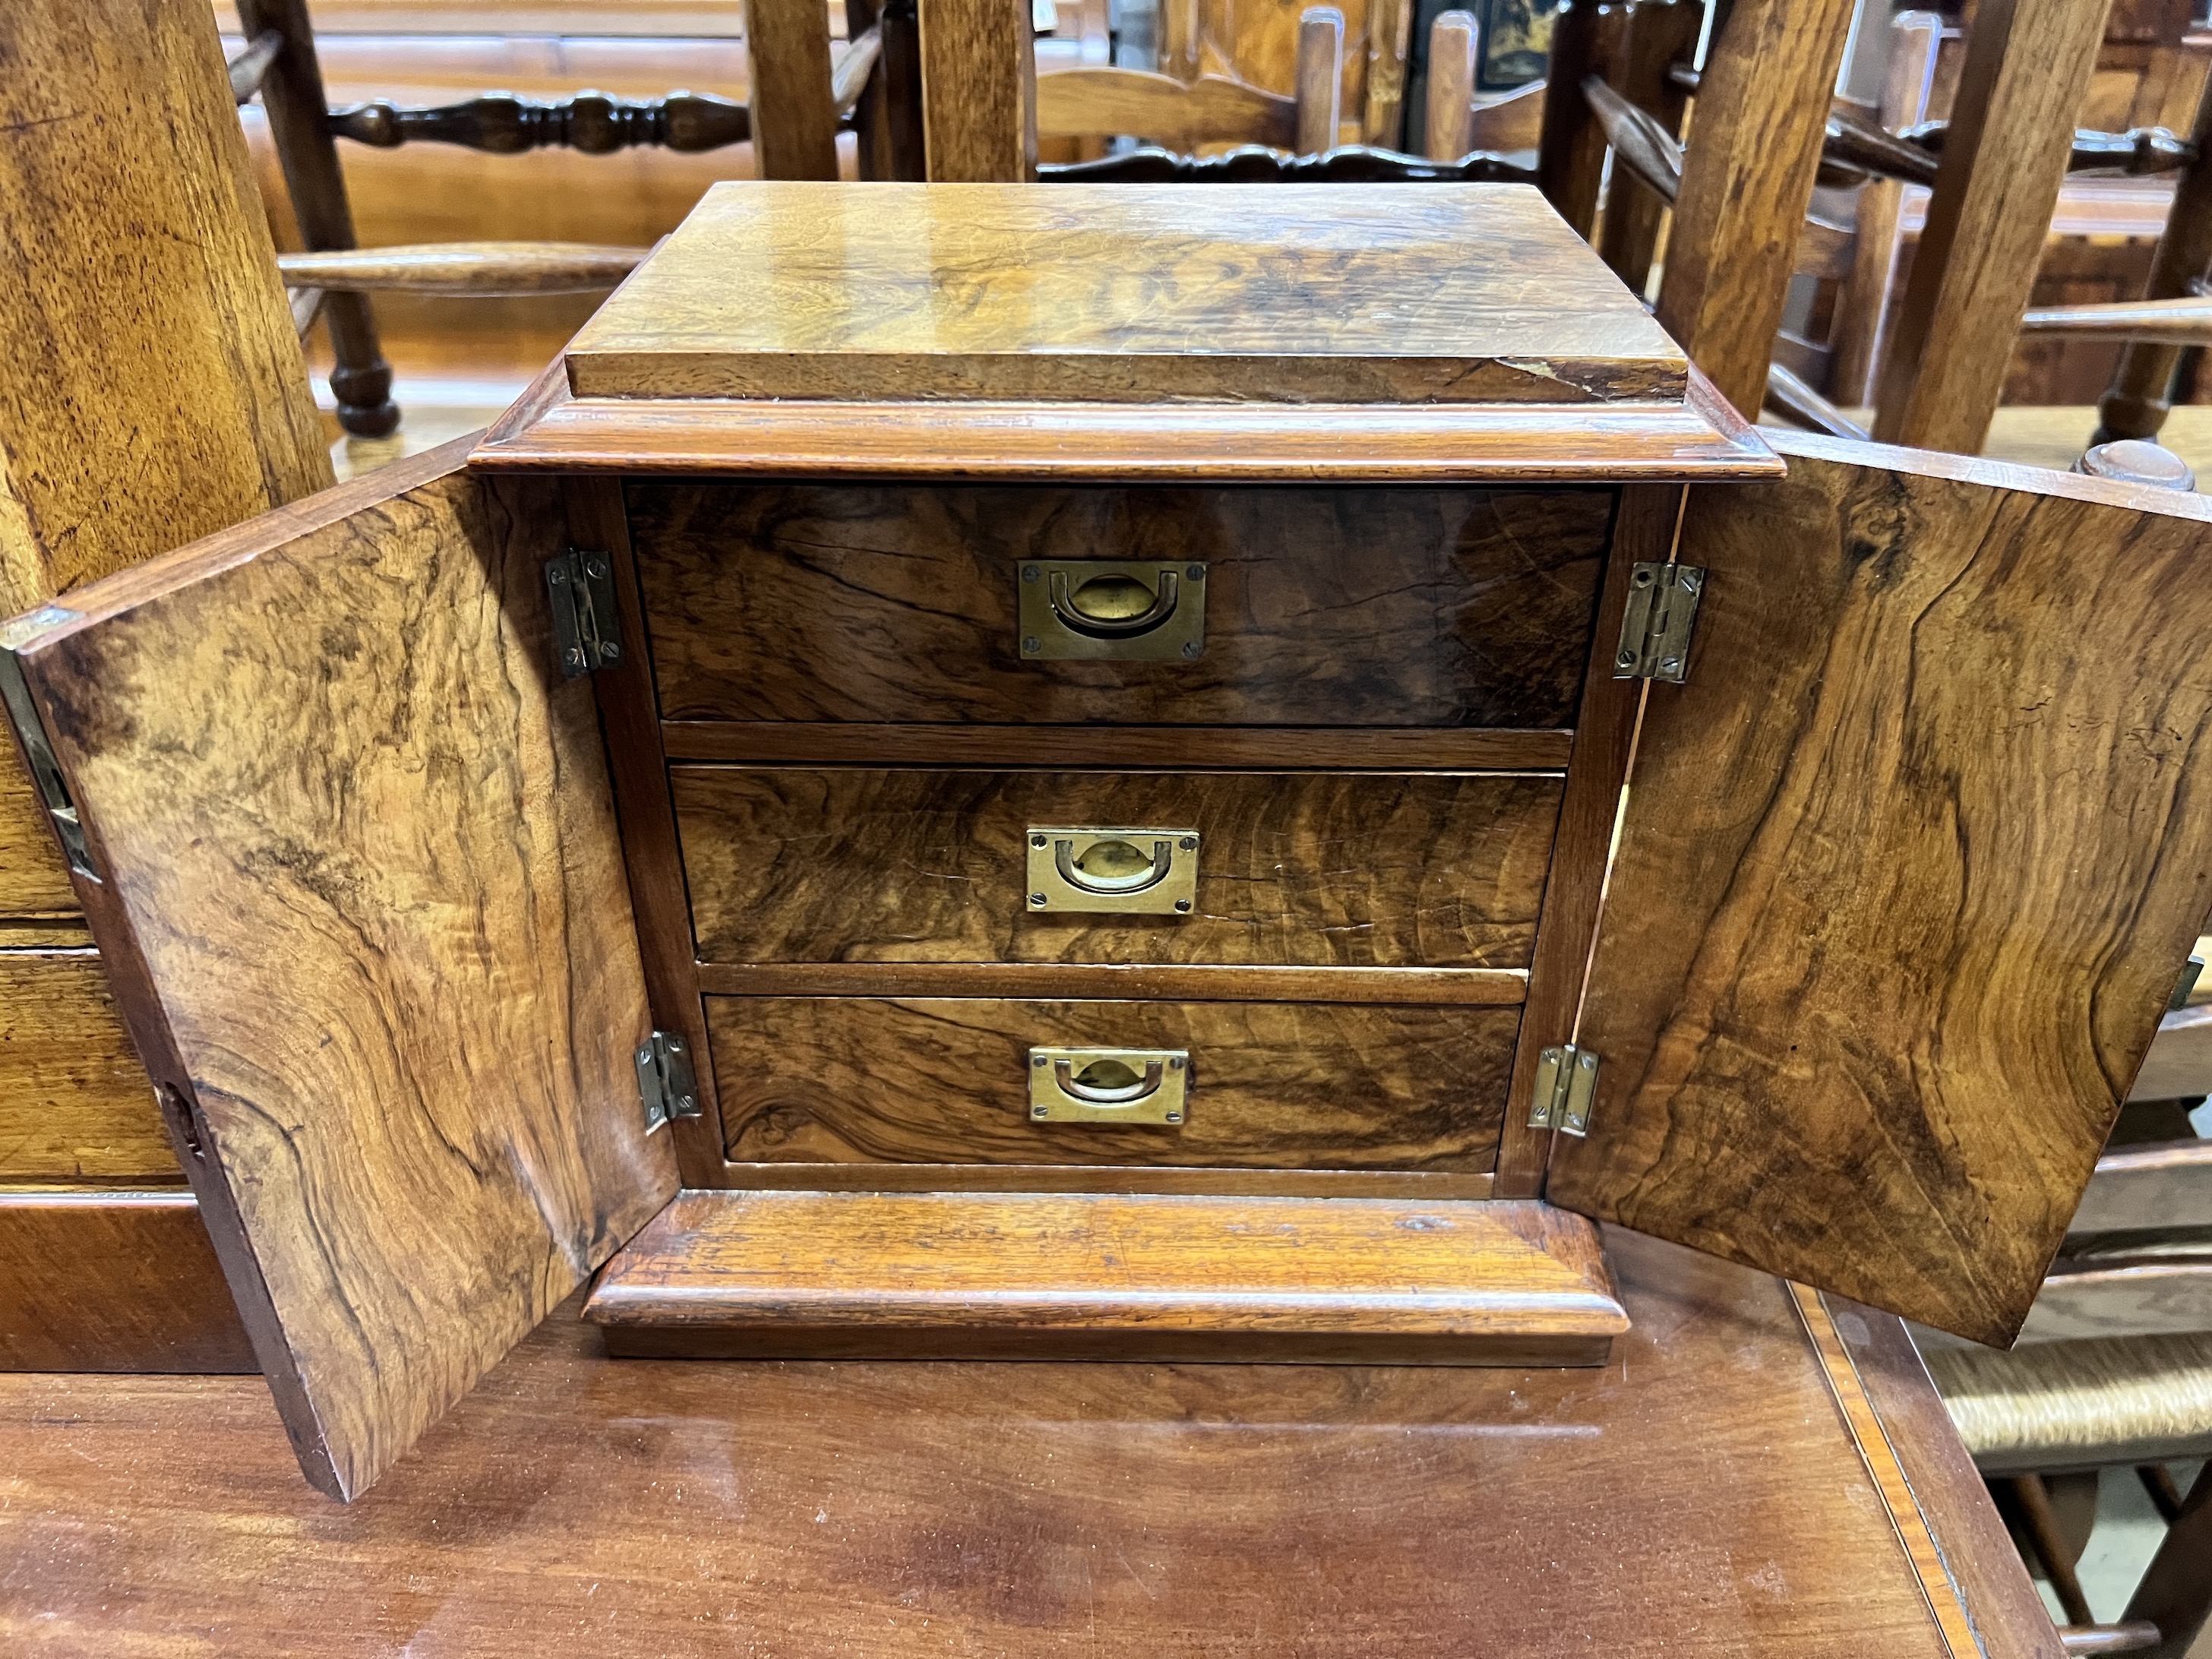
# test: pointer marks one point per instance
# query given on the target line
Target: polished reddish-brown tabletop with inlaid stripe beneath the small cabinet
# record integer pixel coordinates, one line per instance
(1700, 1496)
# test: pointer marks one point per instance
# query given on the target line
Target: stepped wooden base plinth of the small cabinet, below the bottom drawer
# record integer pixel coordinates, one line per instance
(1109, 1277)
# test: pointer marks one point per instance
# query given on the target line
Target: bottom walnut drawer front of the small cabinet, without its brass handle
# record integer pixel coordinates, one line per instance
(1273, 1085)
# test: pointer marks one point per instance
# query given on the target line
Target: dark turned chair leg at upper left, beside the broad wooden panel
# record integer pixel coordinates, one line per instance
(300, 125)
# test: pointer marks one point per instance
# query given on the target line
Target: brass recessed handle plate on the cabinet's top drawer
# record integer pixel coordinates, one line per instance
(1112, 612)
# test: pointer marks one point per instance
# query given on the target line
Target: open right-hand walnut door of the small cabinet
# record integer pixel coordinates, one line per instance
(1906, 875)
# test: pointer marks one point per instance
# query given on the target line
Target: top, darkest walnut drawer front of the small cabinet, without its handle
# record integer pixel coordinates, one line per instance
(1324, 607)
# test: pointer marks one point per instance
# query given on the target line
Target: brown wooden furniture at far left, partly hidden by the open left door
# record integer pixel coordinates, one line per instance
(152, 393)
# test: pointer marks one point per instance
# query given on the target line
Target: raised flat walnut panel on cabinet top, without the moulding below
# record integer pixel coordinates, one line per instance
(1404, 295)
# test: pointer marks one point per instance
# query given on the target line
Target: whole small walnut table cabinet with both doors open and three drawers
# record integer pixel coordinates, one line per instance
(1127, 773)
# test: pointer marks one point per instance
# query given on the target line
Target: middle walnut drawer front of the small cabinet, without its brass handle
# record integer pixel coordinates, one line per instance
(1295, 868)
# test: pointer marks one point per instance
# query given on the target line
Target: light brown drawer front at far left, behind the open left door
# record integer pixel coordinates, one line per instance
(76, 1105)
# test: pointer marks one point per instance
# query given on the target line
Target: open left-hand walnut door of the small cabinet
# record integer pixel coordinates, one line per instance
(355, 873)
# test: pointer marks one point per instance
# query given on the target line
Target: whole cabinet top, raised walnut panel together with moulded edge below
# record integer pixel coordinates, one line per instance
(1127, 331)
